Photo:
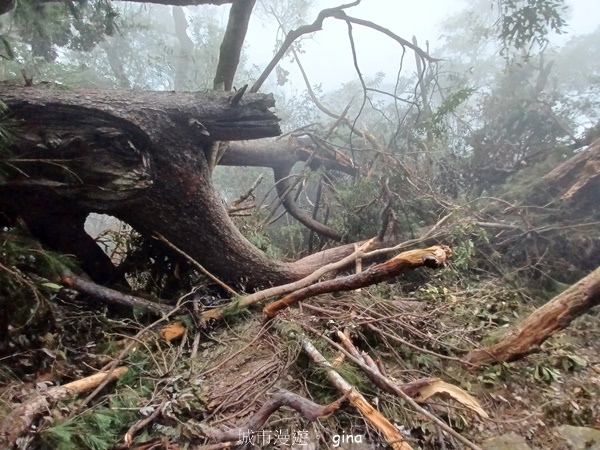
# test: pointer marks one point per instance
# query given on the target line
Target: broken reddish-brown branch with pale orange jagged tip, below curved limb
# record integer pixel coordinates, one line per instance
(433, 257)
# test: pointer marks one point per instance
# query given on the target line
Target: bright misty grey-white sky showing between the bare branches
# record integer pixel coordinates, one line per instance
(328, 59)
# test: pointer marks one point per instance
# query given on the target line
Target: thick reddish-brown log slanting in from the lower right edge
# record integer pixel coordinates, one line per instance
(555, 315)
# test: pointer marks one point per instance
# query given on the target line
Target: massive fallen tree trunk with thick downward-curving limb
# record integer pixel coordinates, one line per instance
(139, 156)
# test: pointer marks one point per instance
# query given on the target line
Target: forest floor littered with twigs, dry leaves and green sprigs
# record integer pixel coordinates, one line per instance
(220, 376)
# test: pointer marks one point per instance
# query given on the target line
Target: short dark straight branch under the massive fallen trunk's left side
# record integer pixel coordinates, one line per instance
(111, 296)
